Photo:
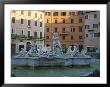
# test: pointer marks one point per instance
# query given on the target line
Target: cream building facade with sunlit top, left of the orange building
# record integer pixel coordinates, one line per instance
(27, 27)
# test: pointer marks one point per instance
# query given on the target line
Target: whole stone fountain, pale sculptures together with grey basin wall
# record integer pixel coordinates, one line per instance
(47, 56)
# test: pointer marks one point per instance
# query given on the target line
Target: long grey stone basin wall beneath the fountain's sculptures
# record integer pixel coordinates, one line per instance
(36, 61)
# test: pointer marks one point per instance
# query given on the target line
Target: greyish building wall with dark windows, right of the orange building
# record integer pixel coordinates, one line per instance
(92, 28)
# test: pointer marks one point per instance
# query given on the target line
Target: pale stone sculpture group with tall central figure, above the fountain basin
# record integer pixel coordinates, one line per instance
(48, 52)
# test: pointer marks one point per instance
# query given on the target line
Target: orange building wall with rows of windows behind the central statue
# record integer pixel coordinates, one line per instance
(68, 25)
